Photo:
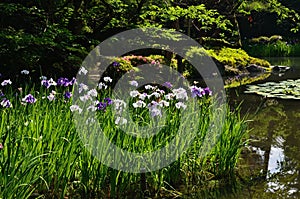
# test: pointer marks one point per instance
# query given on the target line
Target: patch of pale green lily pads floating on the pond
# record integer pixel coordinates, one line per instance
(288, 89)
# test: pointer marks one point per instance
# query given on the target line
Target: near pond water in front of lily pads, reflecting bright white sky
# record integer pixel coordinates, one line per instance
(270, 167)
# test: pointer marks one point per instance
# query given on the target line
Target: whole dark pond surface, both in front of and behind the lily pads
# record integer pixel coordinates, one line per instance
(272, 159)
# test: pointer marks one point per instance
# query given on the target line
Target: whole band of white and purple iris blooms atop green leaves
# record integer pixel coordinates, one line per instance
(151, 97)
